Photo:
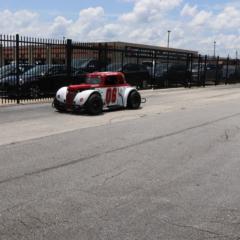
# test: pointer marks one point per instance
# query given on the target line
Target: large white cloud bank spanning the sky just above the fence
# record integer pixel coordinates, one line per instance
(147, 23)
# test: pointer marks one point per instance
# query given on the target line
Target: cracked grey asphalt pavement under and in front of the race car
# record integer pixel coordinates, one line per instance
(170, 170)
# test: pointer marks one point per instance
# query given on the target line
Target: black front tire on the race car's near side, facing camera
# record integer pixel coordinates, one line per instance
(94, 105)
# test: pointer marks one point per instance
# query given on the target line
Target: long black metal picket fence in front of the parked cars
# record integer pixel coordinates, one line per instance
(33, 68)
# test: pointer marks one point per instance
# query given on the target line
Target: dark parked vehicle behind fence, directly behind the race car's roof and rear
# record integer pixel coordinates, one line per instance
(135, 74)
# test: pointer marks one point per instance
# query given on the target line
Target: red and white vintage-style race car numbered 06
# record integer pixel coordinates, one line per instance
(100, 90)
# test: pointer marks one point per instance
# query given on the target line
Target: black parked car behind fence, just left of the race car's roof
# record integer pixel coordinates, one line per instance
(44, 80)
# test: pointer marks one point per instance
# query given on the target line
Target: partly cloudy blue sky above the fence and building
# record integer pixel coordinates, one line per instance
(194, 24)
